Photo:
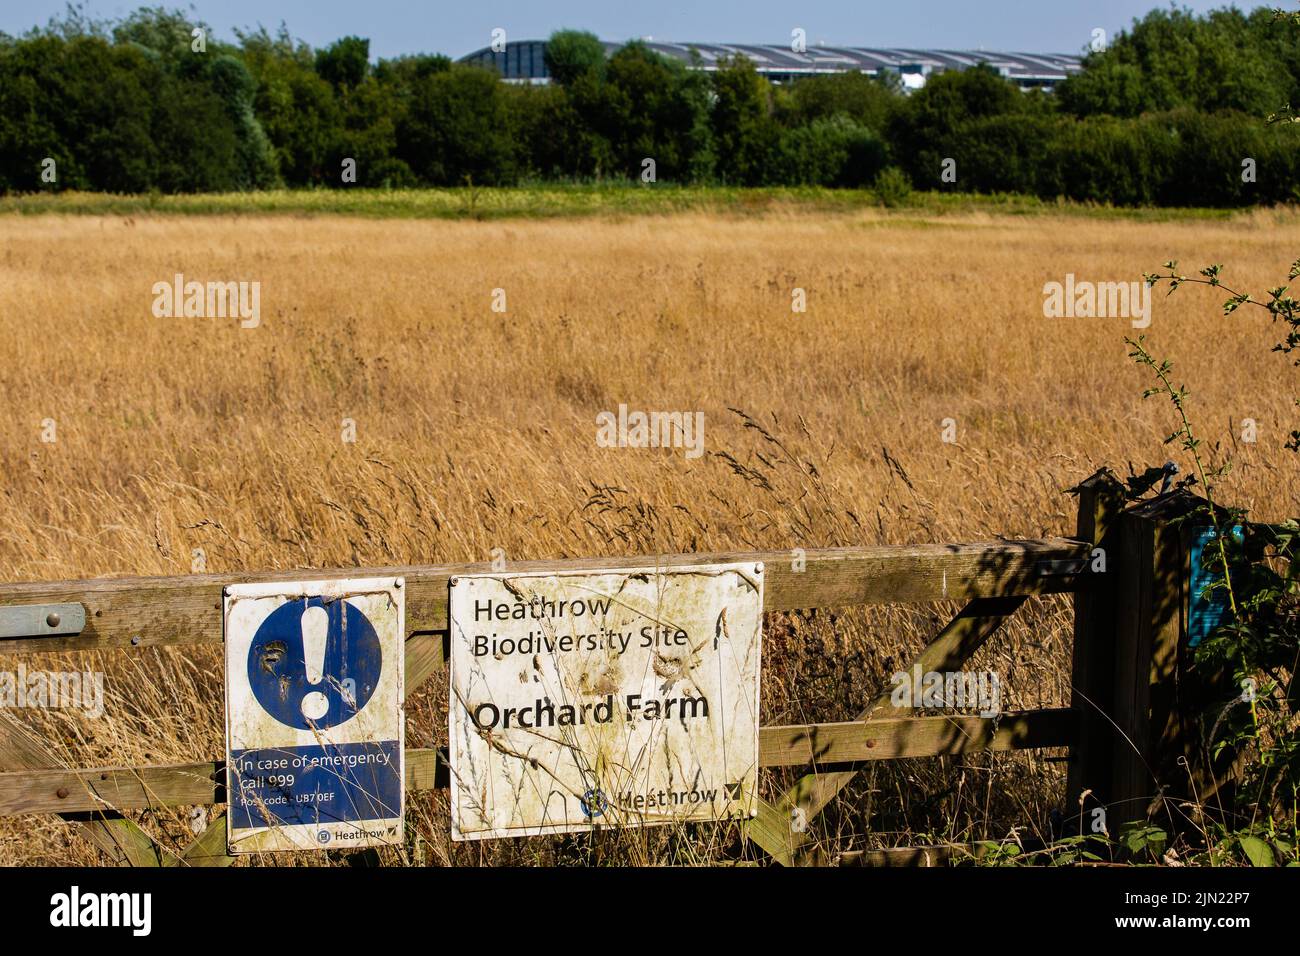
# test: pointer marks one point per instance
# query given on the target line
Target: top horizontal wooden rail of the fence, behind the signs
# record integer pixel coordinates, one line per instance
(151, 612)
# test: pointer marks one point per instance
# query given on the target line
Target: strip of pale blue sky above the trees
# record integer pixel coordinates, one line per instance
(1039, 27)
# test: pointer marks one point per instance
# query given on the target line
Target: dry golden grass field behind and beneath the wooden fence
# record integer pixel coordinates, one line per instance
(476, 430)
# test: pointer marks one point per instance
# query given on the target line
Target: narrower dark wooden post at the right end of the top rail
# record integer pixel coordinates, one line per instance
(1102, 501)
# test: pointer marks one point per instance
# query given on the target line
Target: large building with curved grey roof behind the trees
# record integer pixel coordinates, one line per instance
(525, 62)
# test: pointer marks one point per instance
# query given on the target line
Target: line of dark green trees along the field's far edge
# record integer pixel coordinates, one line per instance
(1165, 115)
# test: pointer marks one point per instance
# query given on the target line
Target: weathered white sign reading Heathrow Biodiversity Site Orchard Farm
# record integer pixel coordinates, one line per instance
(604, 699)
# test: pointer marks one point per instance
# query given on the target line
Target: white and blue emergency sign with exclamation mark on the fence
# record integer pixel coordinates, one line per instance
(315, 726)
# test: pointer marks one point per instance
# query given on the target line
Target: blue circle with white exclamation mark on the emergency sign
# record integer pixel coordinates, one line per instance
(324, 693)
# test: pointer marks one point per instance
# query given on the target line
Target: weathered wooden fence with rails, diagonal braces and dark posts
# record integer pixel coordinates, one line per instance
(1128, 725)
